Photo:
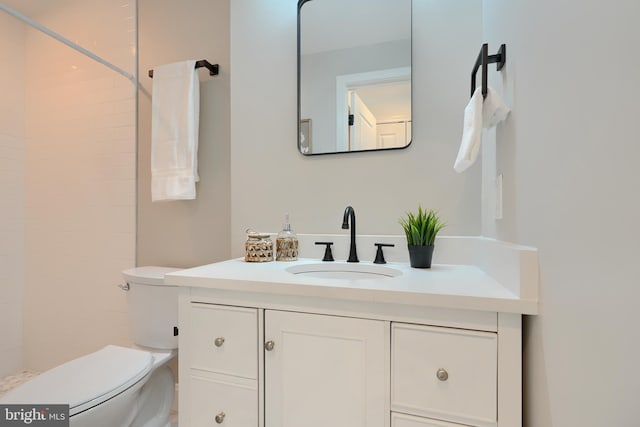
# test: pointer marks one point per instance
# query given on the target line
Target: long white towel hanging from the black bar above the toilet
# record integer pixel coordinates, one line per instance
(175, 120)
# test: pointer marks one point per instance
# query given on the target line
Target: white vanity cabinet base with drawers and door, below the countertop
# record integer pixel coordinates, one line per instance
(264, 365)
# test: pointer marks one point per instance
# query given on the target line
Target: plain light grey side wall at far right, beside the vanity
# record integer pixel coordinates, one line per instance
(569, 158)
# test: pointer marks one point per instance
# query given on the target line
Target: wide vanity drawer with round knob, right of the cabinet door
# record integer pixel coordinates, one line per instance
(444, 373)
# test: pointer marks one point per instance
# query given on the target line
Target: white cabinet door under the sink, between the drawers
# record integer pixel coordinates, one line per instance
(325, 371)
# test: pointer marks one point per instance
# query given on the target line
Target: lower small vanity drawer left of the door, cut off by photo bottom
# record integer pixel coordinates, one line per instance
(215, 402)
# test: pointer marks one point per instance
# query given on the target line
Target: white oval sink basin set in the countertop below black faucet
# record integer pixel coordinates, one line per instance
(345, 271)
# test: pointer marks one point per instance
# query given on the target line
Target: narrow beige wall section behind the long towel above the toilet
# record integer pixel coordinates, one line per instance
(192, 232)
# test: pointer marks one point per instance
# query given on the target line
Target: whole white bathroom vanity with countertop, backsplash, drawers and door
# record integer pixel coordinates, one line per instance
(306, 343)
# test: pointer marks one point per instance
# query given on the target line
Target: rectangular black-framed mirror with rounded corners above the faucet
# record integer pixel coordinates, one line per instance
(354, 75)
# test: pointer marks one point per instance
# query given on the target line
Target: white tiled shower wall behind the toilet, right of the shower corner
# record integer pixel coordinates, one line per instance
(79, 182)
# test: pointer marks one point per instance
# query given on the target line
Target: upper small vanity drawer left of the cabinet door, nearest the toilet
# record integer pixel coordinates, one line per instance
(224, 340)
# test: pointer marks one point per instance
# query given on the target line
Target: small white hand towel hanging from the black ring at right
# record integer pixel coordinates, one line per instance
(478, 114)
